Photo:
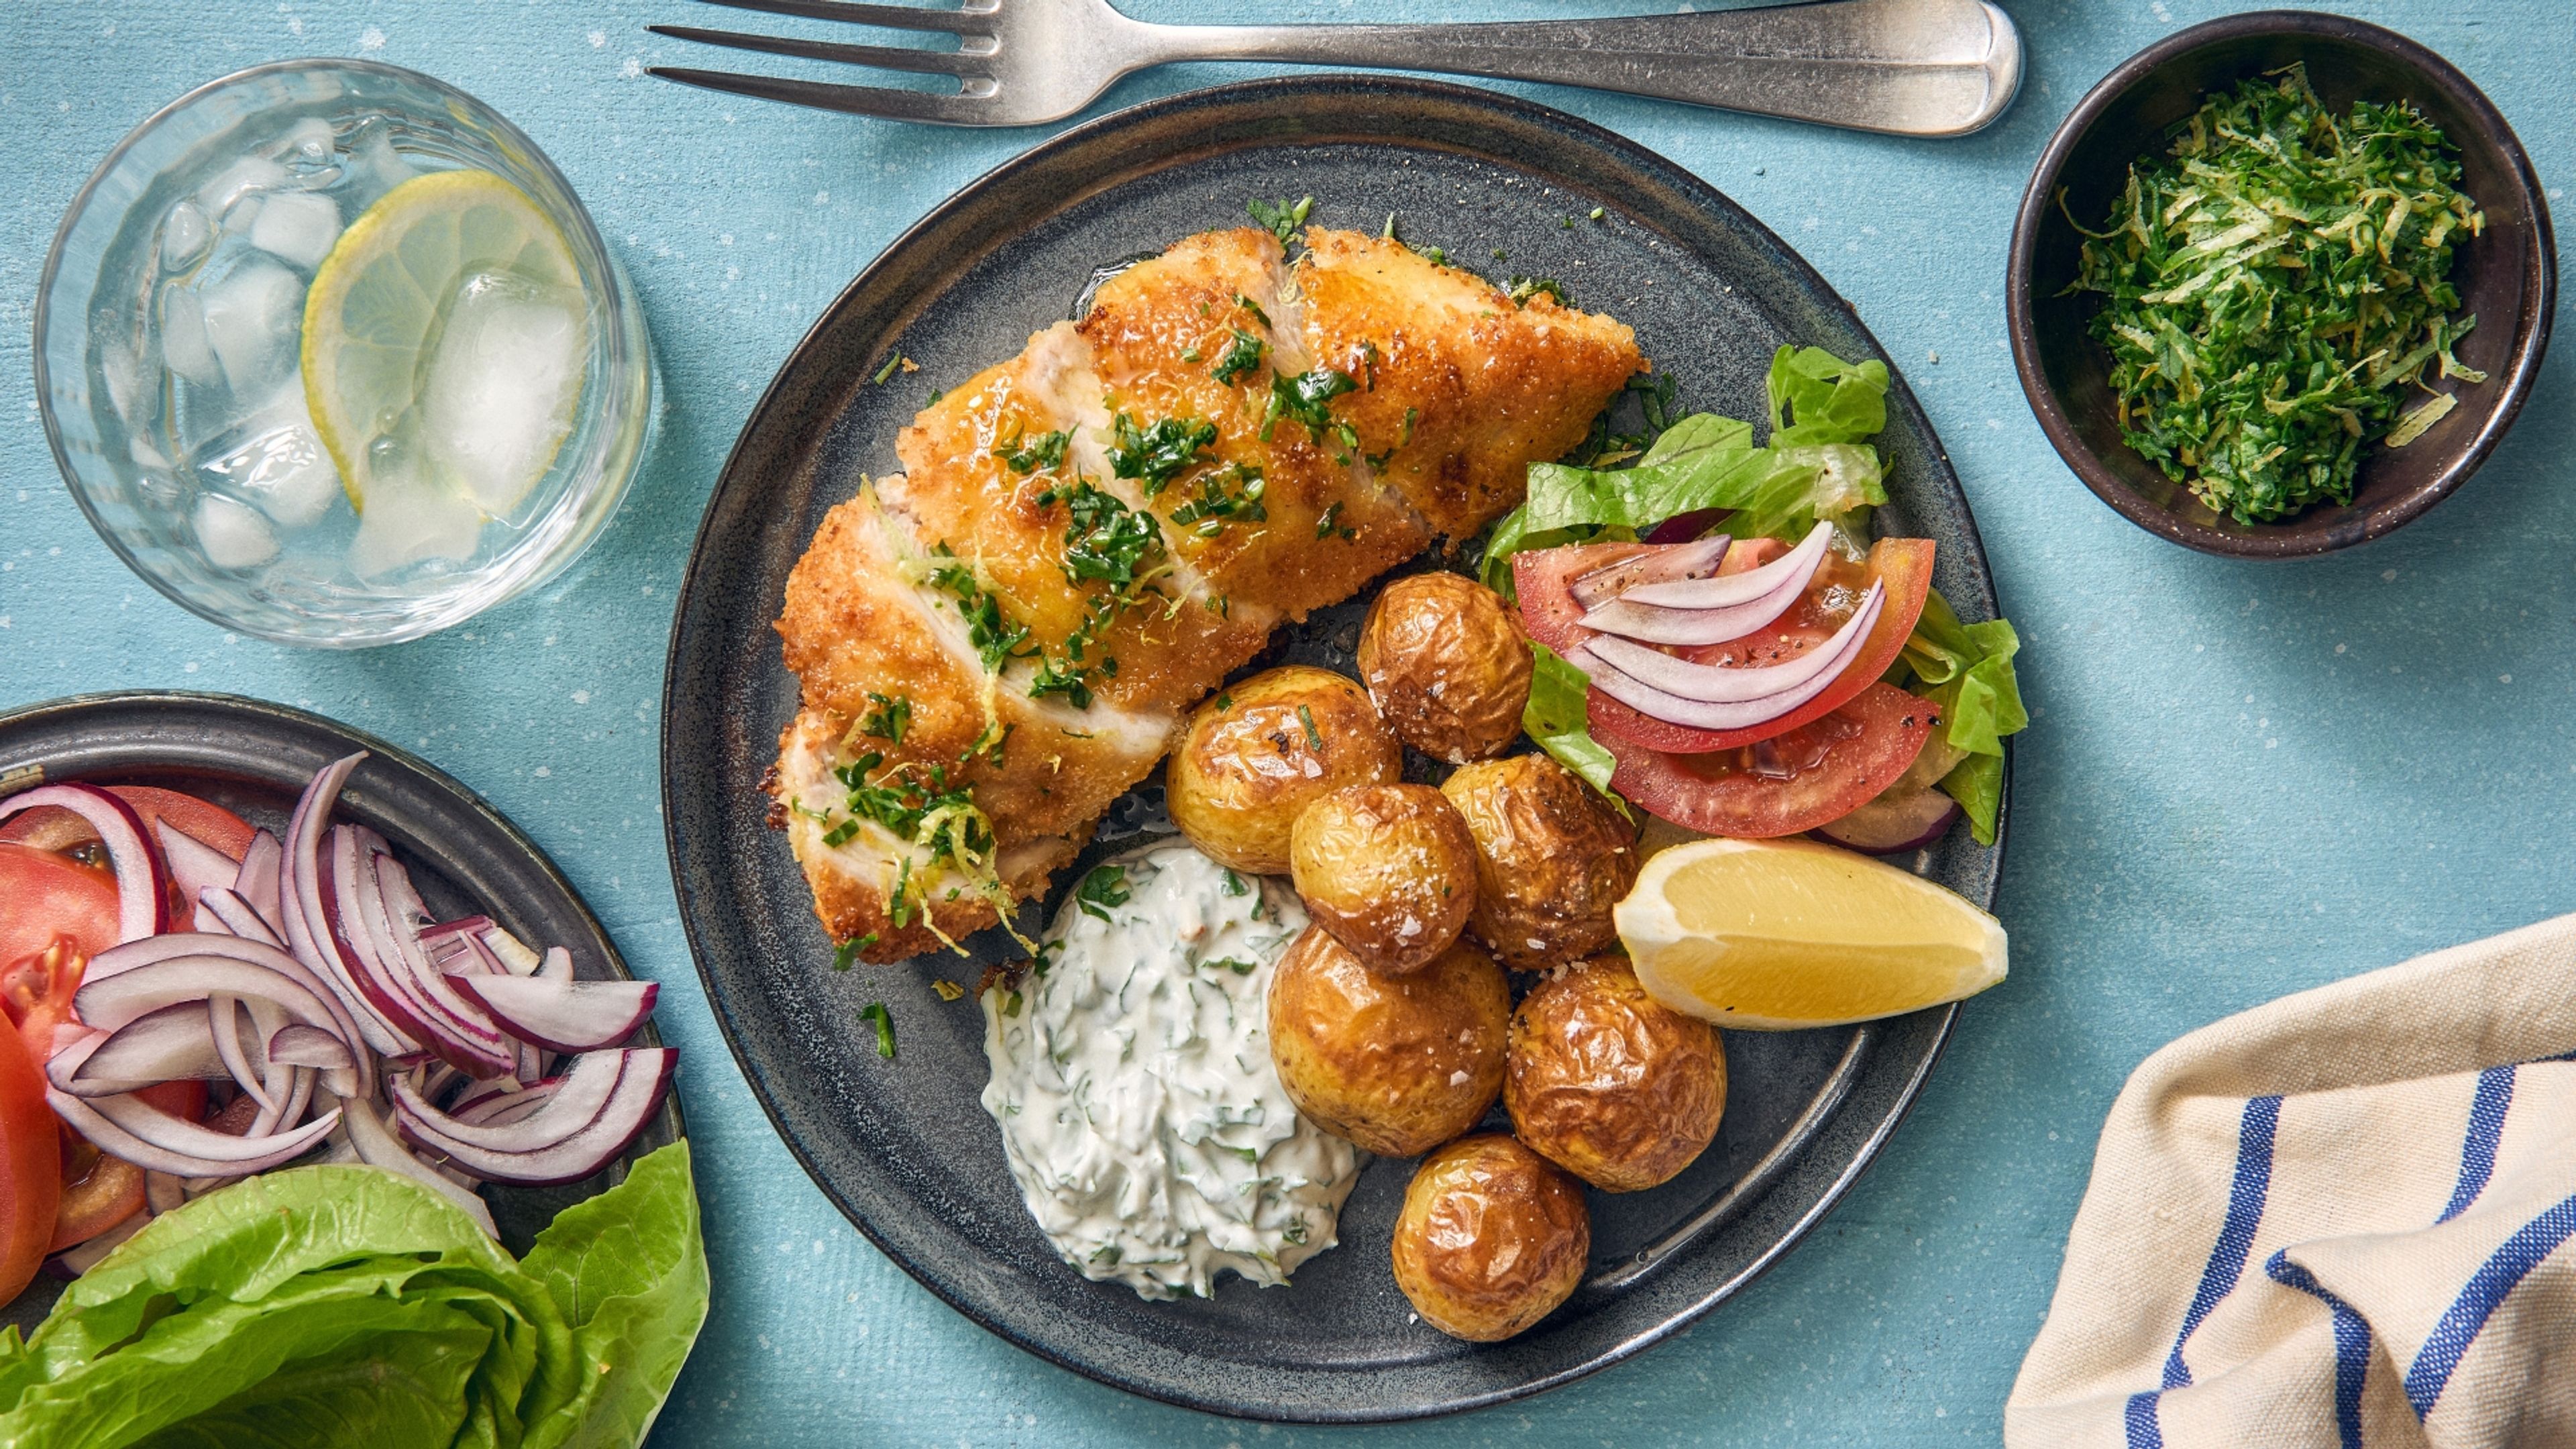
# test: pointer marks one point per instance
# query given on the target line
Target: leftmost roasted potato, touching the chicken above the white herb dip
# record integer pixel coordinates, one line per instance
(1248, 764)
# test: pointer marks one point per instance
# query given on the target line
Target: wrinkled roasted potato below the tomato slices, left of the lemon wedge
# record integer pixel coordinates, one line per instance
(1552, 860)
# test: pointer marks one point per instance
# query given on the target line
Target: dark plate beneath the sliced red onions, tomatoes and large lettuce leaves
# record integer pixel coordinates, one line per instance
(256, 759)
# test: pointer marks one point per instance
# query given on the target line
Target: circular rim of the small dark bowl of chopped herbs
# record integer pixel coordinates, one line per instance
(2531, 331)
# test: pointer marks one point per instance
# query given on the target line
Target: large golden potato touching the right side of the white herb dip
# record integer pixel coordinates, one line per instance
(1390, 1064)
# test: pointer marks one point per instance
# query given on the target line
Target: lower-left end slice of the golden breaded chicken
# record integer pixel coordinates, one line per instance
(957, 780)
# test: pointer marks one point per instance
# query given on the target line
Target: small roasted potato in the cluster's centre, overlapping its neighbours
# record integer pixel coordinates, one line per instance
(1387, 868)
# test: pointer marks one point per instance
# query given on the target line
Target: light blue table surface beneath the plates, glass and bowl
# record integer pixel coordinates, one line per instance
(2240, 780)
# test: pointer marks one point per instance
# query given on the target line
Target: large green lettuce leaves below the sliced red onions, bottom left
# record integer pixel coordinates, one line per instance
(352, 1306)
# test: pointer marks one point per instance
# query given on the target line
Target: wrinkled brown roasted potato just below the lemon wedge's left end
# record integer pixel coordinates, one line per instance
(1611, 1087)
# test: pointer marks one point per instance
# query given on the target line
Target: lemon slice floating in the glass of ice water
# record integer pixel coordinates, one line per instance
(444, 339)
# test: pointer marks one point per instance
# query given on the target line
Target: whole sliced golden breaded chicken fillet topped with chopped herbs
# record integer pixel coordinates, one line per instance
(1225, 442)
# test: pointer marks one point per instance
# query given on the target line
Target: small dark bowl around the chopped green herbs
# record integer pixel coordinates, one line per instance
(2508, 277)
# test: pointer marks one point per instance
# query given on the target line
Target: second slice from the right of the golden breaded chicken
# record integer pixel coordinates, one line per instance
(1282, 517)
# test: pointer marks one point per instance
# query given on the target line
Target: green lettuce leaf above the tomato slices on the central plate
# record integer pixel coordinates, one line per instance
(1815, 465)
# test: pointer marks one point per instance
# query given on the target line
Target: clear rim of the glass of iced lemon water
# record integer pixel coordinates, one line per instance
(617, 303)
